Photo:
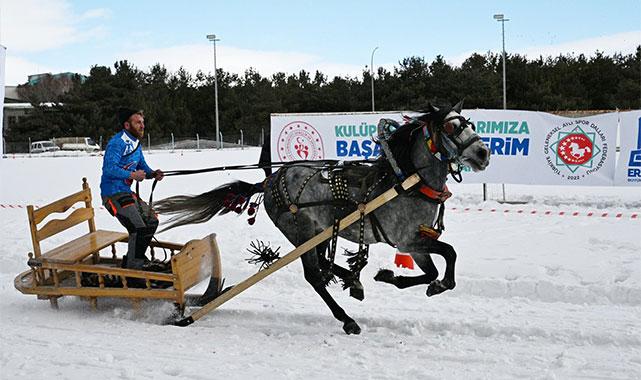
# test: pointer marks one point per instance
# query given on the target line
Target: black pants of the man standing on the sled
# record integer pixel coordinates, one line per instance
(139, 220)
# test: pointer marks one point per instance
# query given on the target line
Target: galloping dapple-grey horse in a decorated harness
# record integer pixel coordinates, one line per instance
(304, 198)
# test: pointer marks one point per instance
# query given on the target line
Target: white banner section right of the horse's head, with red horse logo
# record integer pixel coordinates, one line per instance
(538, 148)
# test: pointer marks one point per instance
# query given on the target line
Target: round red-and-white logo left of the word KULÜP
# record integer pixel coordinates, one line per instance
(299, 140)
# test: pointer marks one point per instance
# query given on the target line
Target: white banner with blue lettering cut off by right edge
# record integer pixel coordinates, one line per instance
(629, 165)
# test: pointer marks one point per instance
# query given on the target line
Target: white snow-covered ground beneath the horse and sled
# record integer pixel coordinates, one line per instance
(538, 296)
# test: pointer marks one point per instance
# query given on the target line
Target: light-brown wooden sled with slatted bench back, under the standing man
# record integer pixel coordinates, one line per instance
(65, 270)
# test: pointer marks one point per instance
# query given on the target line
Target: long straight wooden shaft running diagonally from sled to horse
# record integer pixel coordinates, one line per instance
(297, 252)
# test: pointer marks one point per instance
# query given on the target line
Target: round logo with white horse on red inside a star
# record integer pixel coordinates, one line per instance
(576, 153)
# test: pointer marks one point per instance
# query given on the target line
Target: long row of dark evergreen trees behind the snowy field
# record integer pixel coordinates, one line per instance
(184, 105)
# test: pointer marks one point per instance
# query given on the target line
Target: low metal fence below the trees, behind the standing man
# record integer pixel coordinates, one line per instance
(171, 142)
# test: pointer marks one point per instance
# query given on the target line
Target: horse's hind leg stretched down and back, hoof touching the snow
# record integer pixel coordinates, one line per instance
(314, 276)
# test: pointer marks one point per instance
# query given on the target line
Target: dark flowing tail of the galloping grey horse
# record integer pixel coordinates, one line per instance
(190, 209)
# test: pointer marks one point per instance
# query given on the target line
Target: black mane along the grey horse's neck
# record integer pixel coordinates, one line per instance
(400, 141)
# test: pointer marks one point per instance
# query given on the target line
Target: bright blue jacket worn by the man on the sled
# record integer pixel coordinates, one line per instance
(123, 155)
